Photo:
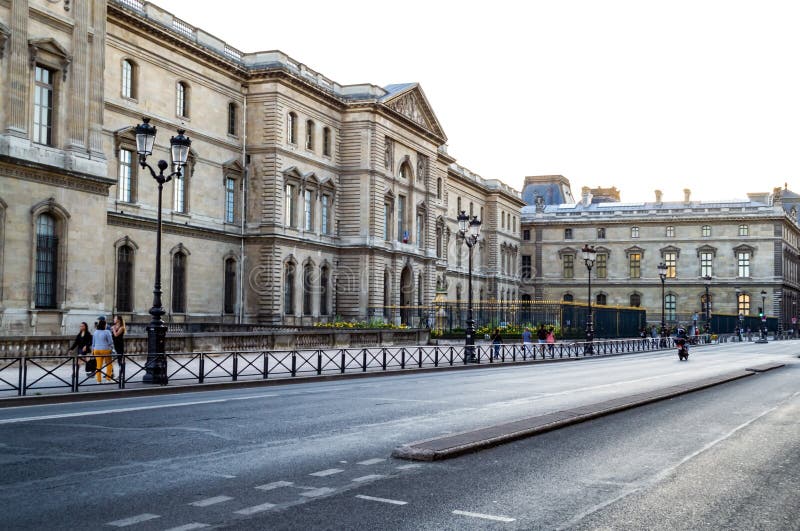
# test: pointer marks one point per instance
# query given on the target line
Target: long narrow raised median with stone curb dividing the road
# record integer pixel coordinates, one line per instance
(453, 445)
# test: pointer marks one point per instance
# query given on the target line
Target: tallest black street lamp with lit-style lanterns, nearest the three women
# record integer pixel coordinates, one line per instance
(156, 365)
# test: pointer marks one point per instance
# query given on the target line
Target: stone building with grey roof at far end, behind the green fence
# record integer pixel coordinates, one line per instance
(751, 245)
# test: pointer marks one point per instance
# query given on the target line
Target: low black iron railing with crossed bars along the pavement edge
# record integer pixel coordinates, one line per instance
(25, 375)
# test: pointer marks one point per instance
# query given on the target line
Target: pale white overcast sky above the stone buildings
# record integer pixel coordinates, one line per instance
(638, 94)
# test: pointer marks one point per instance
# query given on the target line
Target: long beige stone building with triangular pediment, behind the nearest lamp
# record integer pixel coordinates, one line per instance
(303, 199)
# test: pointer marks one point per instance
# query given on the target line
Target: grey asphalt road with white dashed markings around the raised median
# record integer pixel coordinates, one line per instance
(316, 456)
